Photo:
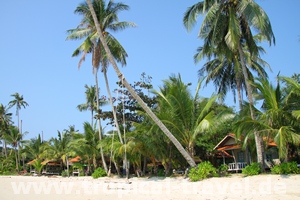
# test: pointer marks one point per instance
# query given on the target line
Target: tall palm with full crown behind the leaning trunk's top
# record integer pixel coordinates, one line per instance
(107, 15)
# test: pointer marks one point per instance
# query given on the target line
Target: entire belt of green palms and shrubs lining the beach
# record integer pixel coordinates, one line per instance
(157, 131)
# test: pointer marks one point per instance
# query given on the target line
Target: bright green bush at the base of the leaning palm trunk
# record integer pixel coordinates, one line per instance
(202, 171)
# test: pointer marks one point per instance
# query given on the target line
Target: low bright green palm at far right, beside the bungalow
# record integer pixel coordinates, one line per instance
(275, 121)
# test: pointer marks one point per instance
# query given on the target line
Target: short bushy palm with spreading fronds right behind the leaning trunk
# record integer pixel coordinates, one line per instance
(186, 115)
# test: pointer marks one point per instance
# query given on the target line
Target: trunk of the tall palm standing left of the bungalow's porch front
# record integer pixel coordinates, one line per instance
(258, 139)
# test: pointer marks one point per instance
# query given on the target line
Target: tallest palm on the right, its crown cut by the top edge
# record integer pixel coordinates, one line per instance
(230, 24)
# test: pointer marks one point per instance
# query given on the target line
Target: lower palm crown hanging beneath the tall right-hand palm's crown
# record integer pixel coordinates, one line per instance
(225, 71)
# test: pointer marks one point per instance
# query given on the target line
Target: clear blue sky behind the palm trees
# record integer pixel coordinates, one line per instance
(36, 59)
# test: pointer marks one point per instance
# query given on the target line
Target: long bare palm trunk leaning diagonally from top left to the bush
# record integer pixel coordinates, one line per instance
(188, 158)
